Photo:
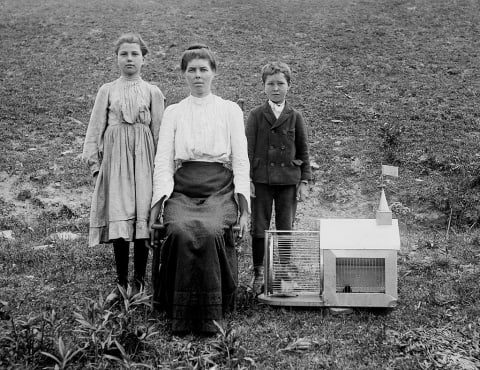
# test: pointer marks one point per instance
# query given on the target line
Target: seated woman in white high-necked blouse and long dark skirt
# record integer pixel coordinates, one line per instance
(200, 138)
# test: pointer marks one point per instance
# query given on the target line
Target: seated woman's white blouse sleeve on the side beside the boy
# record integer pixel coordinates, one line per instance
(240, 162)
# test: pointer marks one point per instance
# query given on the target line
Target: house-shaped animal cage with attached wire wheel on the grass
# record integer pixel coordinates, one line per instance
(346, 263)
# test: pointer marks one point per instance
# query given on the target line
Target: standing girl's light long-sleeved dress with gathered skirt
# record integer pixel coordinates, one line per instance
(120, 145)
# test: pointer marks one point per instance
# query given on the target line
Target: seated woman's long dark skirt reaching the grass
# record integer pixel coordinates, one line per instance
(196, 279)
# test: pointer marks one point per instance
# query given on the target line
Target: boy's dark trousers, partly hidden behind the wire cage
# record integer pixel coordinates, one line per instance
(283, 197)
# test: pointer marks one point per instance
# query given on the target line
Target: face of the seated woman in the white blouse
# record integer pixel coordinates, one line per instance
(199, 76)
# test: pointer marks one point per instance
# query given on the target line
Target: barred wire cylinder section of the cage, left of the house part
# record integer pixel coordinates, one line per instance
(293, 263)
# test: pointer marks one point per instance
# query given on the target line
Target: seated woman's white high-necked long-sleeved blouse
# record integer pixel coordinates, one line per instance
(208, 129)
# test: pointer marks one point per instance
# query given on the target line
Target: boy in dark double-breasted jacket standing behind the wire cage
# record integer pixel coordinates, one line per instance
(279, 162)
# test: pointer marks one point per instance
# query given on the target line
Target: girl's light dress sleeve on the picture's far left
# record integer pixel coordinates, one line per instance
(96, 127)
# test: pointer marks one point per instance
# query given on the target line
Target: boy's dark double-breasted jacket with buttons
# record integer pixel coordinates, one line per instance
(277, 148)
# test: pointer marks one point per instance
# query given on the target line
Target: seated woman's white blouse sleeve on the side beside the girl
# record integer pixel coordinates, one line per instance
(164, 158)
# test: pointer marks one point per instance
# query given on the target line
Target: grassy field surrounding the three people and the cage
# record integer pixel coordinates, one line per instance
(386, 81)
